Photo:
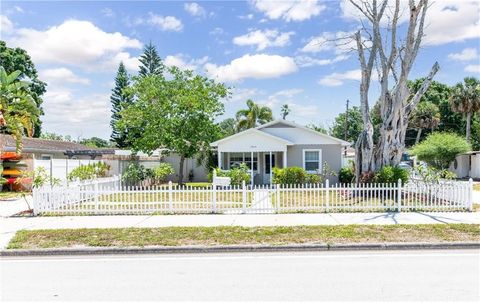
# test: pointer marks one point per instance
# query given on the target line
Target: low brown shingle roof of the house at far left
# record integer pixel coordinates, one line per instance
(39, 145)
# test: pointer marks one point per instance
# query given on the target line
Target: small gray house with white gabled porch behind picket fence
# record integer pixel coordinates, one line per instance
(279, 144)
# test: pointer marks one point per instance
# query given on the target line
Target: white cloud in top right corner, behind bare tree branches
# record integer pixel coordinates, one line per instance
(446, 21)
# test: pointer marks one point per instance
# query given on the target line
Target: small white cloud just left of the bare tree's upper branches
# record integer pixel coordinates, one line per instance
(339, 42)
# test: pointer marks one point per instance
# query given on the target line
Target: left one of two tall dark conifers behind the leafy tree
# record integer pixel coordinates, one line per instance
(119, 101)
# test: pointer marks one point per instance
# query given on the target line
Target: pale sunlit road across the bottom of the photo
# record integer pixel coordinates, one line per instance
(322, 276)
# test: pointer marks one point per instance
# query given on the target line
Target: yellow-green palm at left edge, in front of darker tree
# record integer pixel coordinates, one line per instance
(18, 110)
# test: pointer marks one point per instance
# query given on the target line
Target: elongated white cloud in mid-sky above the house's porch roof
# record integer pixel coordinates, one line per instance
(259, 66)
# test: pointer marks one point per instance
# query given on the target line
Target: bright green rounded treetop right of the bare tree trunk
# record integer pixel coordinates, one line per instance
(440, 149)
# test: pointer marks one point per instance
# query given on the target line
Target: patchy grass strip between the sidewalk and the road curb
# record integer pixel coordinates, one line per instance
(233, 235)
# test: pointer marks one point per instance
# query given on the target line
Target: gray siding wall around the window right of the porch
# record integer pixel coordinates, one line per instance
(332, 154)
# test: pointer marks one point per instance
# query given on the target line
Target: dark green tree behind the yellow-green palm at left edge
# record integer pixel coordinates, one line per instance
(17, 59)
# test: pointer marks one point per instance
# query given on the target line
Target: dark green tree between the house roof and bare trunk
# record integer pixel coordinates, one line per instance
(354, 126)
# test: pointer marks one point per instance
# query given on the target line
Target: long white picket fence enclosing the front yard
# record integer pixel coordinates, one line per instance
(110, 196)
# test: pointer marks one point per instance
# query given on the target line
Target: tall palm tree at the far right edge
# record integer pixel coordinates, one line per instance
(466, 99)
